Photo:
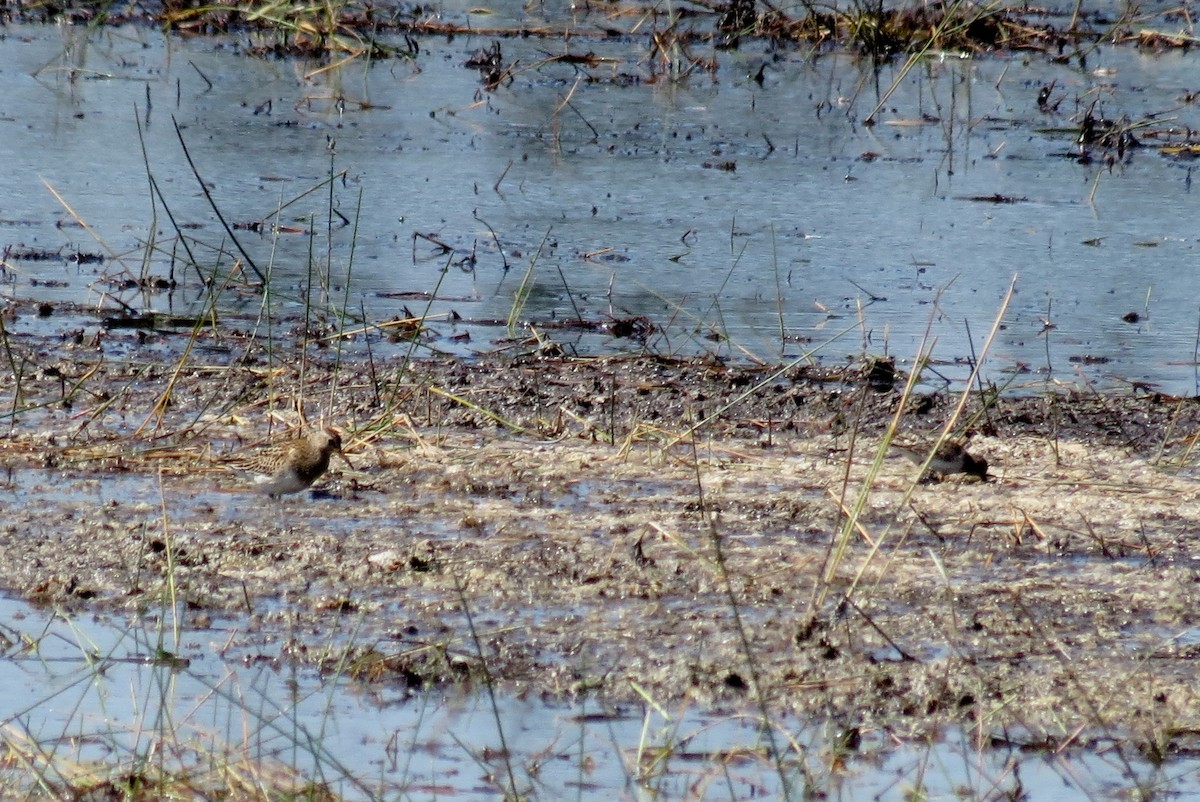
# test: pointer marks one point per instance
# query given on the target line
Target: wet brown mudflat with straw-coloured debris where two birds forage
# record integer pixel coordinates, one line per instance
(1061, 595)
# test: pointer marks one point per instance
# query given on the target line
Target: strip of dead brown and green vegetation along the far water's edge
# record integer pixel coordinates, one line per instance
(345, 29)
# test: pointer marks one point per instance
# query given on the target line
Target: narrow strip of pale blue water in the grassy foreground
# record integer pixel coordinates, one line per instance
(89, 690)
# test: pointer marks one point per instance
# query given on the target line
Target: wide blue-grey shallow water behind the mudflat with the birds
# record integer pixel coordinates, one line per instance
(622, 197)
